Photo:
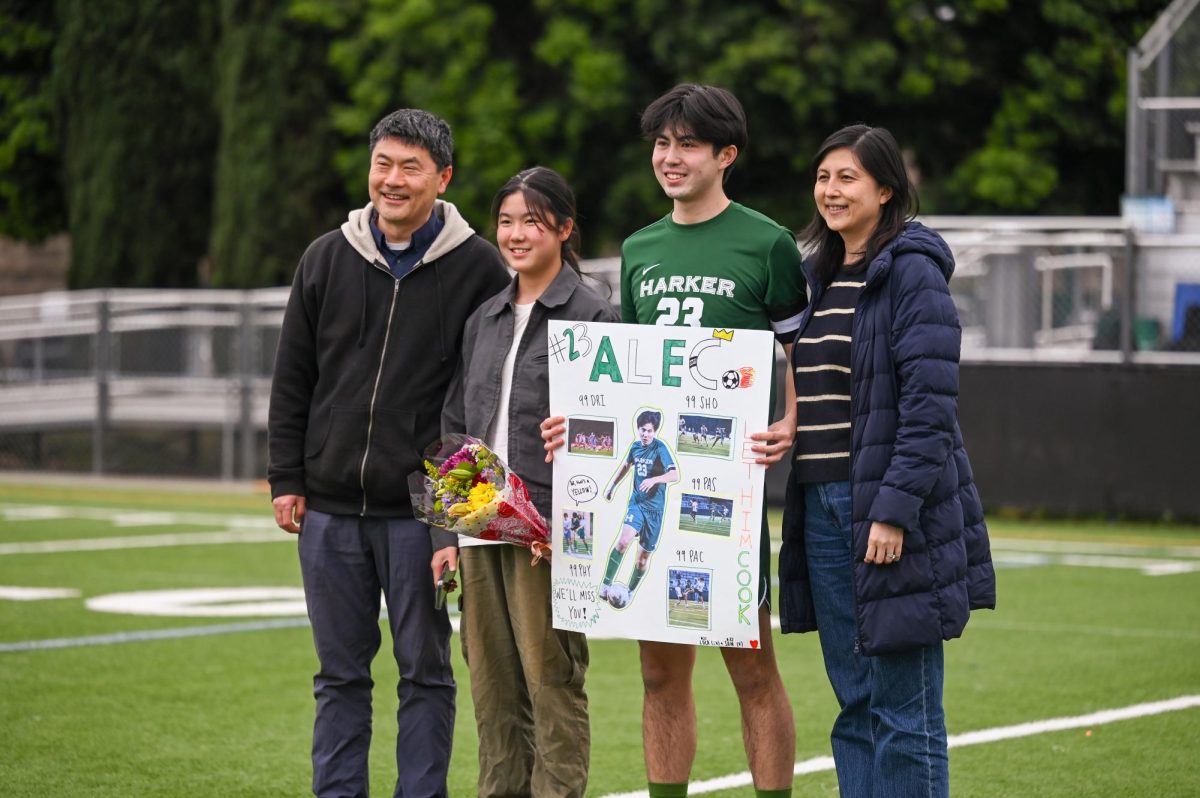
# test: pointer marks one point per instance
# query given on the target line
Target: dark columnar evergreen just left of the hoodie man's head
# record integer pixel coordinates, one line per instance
(277, 188)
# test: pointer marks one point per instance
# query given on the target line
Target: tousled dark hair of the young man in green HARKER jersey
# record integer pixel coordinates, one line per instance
(709, 113)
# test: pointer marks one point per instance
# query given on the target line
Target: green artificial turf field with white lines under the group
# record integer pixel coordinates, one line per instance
(231, 715)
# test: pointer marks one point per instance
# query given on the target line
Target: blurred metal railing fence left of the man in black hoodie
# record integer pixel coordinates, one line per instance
(172, 382)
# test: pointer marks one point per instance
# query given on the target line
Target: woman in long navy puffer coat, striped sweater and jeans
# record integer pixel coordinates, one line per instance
(885, 547)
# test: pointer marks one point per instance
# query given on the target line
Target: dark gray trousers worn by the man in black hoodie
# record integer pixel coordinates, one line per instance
(346, 562)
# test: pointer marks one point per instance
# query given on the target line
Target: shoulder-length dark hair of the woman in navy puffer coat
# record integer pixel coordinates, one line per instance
(880, 155)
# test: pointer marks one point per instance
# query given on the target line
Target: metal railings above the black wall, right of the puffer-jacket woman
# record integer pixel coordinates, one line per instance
(1072, 290)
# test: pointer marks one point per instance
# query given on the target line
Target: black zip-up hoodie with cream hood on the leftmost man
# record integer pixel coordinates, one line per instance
(364, 363)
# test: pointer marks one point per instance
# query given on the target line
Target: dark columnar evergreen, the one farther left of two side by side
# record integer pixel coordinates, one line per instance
(134, 83)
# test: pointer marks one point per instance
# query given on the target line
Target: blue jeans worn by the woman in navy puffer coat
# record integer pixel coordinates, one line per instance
(890, 739)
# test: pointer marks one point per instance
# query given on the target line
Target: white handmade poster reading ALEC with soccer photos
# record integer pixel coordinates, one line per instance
(658, 501)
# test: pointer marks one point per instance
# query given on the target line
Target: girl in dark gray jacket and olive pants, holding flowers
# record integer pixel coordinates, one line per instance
(526, 677)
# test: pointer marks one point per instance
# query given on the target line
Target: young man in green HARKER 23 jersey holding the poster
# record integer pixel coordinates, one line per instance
(712, 263)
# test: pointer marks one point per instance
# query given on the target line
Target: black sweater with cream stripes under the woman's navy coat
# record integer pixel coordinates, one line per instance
(821, 362)
